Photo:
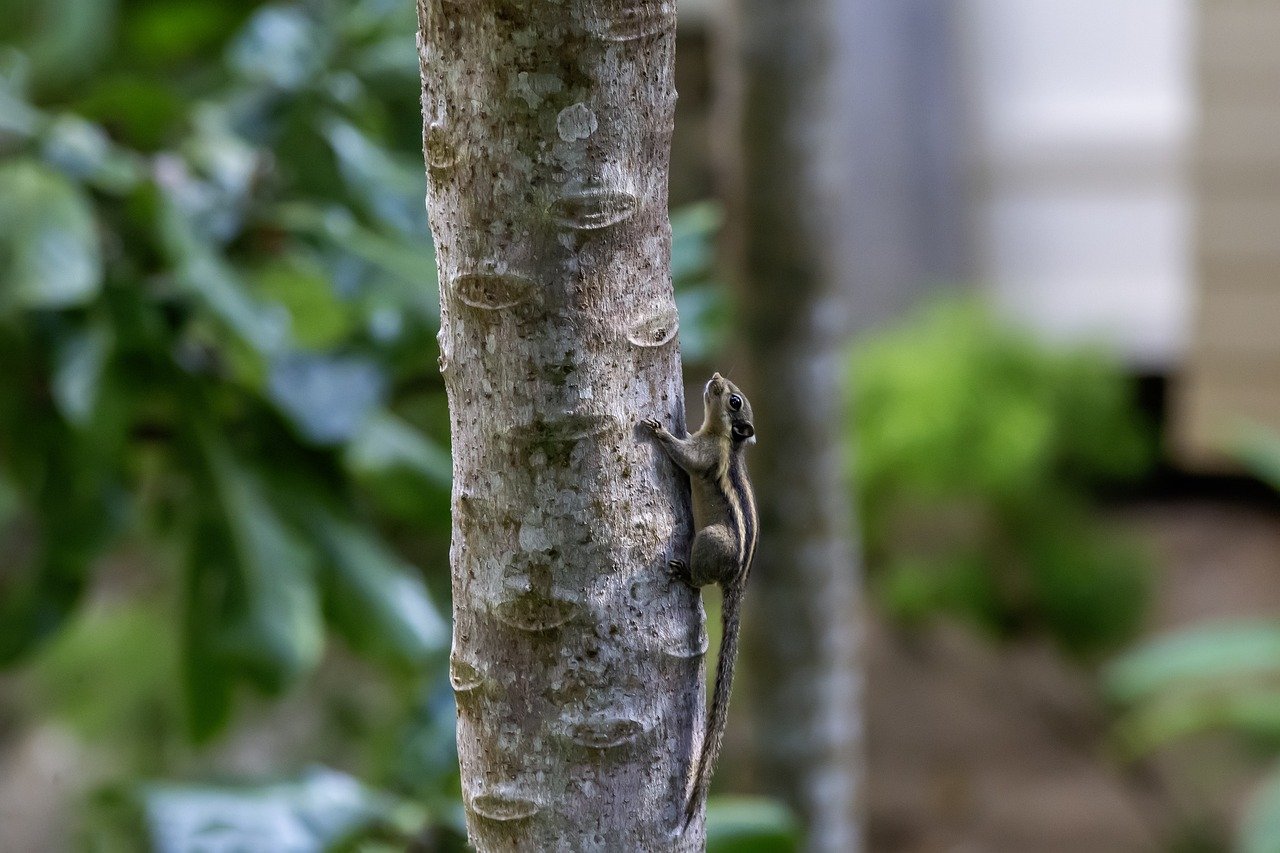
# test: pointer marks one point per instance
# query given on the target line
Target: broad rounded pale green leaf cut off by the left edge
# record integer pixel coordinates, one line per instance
(51, 257)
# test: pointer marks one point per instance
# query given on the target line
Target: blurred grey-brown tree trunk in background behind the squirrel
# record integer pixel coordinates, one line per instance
(784, 81)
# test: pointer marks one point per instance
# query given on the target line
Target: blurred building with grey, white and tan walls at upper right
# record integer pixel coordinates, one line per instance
(1105, 172)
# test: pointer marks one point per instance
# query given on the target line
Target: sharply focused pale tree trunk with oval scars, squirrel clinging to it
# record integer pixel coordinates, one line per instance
(577, 662)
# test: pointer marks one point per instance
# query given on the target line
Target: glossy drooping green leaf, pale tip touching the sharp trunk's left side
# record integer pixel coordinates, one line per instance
(380, 601)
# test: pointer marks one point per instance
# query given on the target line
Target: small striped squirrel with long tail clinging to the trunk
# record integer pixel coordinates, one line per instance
(728, 526)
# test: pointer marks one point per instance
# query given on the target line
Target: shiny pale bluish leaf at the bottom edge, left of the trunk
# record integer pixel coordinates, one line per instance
(313, 814)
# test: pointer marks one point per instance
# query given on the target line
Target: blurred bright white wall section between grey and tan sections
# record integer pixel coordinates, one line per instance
(1081, 117)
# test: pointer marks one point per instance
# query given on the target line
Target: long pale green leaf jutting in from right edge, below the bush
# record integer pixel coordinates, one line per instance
(1196, 658)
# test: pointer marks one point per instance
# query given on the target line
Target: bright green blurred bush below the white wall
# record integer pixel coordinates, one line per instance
(975, 450)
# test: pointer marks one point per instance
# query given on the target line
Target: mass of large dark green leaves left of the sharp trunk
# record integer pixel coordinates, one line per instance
(205, 329)
